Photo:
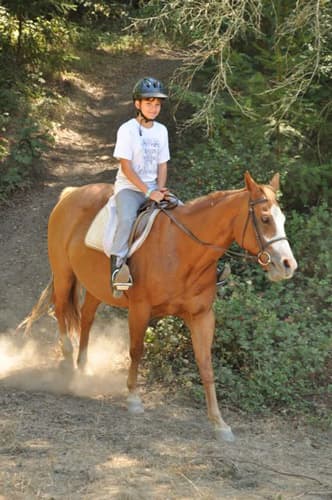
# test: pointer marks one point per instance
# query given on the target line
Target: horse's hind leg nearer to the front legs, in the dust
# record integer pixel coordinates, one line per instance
(88, 312)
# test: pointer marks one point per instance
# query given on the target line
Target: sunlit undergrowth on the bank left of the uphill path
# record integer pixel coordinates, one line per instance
(32, 65)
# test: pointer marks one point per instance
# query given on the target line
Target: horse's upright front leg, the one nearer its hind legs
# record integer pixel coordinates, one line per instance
(138, 318)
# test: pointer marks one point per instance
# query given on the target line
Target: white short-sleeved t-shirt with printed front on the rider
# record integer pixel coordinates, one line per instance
(145, 151)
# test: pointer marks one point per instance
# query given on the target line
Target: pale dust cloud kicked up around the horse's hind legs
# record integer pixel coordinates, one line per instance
(34, 363)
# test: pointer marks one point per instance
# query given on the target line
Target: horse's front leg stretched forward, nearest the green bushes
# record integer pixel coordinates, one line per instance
(202, 329)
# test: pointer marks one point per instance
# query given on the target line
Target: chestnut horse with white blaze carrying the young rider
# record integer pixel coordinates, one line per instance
(174, 271)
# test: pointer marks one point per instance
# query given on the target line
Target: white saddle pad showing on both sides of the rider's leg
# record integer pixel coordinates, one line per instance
(101, 231)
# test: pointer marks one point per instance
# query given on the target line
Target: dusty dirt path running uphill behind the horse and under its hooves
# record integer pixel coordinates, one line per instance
(70, 437)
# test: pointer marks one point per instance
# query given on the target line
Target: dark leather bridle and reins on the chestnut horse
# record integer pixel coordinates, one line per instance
(263, 257)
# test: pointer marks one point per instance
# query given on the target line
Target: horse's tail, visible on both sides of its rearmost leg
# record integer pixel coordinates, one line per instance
(45, 305)
